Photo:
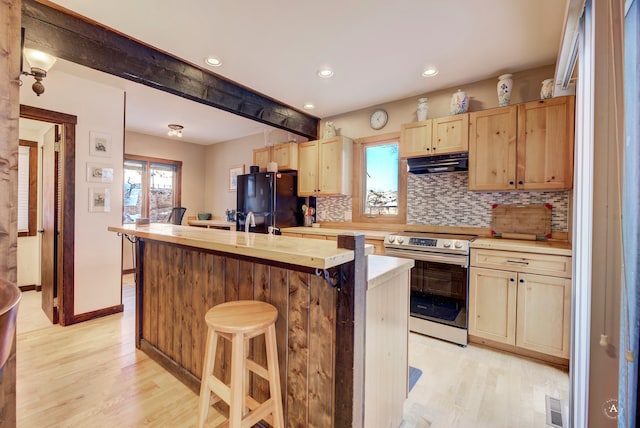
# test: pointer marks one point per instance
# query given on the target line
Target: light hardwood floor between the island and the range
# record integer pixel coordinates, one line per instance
(478, 387)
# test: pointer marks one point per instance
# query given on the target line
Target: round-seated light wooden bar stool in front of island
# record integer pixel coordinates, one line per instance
(238, 322)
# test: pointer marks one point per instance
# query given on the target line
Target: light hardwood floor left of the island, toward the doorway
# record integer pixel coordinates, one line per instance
(91, 375)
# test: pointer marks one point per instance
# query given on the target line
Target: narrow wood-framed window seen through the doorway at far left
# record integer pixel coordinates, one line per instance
(27, 187)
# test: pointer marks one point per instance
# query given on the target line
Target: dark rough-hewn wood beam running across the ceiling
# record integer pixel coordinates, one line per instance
(77, 40)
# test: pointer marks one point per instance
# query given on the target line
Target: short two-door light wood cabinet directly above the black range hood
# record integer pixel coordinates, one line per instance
(443, 135)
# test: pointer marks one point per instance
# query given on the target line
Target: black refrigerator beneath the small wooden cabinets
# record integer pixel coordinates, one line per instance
(273, 199)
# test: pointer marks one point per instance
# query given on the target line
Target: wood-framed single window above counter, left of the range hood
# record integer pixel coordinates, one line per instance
(379, 180)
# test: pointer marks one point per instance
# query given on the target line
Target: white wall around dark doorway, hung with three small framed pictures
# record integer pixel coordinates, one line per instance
(97, 251)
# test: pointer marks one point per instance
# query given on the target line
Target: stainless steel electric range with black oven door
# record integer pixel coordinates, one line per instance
(439, 282)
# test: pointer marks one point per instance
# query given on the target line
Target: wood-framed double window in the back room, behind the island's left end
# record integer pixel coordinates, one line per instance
(151, 188)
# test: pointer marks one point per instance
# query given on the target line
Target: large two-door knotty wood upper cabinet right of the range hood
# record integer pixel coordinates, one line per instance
(526, 147)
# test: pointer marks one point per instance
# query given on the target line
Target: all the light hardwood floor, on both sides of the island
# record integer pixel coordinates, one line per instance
(91, 375)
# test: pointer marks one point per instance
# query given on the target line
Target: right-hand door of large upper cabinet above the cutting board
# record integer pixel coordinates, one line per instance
(545, 144)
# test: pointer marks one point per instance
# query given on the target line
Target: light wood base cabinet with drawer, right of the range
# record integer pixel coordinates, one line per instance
(508, 304)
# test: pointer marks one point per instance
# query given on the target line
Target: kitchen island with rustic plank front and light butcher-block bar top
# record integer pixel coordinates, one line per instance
(342, 327)
